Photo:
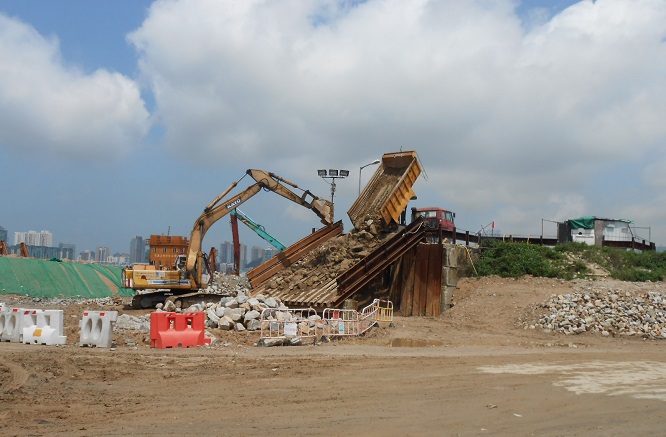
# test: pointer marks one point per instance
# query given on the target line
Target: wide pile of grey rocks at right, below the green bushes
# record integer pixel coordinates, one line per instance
(608, 312)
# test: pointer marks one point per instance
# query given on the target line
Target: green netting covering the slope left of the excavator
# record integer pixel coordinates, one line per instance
(42, 278)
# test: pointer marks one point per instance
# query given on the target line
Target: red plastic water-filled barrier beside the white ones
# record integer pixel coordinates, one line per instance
(169, 330)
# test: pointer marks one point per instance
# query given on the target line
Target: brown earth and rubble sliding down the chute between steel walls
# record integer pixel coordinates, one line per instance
(328, 261)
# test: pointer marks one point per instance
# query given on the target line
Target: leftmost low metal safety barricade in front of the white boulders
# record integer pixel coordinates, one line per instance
(288, 323)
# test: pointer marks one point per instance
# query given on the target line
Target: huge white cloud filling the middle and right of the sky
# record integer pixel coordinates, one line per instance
(520, 118)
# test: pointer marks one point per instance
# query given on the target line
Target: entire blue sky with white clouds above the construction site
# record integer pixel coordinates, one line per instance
(127, 118)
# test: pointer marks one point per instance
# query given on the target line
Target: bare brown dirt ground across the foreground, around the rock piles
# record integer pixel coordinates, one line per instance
(476, 370)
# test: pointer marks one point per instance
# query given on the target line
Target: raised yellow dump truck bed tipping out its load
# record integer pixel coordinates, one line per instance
(388, 192)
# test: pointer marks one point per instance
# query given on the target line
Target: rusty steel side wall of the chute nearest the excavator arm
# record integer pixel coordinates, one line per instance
(293, 253)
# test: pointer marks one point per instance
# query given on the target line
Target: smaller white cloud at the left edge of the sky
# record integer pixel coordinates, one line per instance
(48, 106)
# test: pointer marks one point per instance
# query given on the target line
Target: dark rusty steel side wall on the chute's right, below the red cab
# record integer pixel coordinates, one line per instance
(369, 267)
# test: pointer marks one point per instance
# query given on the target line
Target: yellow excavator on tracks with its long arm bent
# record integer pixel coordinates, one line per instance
(155, 286)
